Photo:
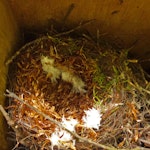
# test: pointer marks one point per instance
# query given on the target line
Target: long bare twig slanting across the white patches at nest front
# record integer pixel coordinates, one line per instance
(12, 95)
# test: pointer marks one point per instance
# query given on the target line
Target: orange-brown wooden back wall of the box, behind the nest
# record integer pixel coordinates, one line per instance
(123, 23)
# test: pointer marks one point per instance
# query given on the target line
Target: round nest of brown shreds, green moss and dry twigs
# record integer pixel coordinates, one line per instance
(72, 94)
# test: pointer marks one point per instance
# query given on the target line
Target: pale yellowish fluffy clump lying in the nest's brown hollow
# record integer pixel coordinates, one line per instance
(55, 73)
